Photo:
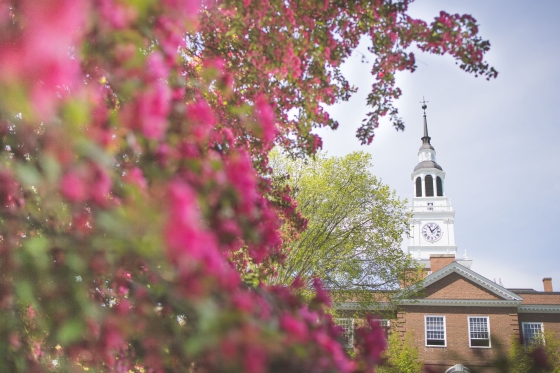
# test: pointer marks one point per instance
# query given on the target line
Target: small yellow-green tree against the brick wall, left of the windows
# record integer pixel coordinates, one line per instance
(401, 355)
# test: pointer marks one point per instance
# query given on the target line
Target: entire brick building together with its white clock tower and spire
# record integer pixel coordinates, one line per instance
(458, 318)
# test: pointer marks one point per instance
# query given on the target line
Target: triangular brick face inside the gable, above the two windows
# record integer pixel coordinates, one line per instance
(455, 286)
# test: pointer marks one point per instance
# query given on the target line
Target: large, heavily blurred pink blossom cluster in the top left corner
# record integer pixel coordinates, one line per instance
(40, 57)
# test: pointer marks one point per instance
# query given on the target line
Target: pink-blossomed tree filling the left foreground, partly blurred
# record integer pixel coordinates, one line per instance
(135, 193)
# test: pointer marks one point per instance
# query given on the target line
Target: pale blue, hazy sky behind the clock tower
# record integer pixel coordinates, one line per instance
(498, 141)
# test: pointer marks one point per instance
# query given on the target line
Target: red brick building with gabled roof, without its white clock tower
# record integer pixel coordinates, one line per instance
(461, 317)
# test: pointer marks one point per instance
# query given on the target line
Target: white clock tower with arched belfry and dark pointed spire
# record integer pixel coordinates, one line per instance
(432, 227)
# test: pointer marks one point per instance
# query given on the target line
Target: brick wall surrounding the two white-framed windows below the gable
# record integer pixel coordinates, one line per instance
(503, 324)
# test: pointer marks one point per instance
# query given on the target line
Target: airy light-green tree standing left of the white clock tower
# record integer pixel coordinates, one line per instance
(354, 229)
